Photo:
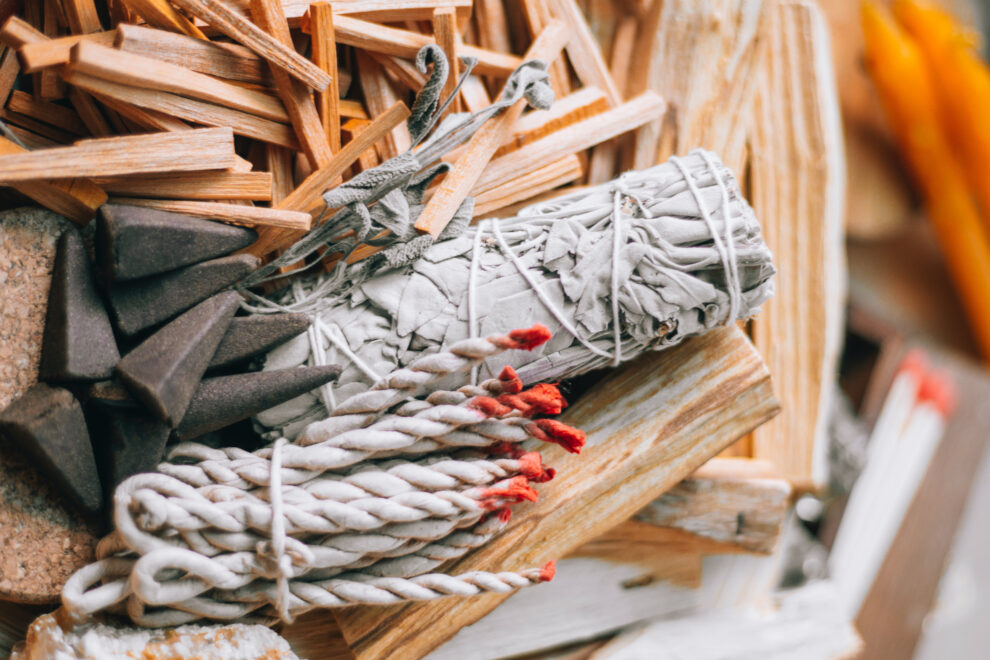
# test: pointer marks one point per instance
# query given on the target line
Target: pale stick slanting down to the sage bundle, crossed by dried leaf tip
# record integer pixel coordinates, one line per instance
(457, 184)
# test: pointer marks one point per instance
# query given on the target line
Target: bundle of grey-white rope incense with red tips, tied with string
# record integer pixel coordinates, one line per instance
(339, 517)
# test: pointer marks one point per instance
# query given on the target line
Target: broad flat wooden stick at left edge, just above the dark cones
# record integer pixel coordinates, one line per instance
(188, 151)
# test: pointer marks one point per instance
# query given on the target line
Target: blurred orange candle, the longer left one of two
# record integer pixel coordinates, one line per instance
(898, 70)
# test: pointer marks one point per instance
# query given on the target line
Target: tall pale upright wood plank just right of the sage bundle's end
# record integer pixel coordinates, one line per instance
(797, 182)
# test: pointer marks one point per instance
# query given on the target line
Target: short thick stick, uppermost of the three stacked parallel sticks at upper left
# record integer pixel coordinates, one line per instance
(223, 60)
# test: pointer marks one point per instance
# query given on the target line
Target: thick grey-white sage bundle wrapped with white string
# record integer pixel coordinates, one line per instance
(639, 263)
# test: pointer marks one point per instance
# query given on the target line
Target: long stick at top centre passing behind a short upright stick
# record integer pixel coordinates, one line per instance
(404, 43)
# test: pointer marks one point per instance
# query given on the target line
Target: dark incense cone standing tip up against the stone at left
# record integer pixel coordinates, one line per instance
(78, 341)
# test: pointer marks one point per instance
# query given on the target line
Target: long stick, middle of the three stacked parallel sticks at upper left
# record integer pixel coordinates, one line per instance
(137, 71)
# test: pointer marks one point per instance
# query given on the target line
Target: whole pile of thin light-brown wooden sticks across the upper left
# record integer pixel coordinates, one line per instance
(246, 111)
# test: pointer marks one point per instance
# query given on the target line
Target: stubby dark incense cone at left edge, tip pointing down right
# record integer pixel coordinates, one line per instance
(48, 424)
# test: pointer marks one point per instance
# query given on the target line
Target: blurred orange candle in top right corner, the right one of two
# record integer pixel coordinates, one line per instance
(962, 83)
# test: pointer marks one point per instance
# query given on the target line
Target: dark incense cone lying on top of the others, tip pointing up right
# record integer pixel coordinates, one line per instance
(165, 369)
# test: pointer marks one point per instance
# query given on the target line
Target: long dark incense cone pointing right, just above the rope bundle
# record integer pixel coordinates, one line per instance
(222, 401)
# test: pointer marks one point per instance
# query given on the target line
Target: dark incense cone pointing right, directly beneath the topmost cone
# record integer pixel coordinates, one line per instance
(140, 304)
